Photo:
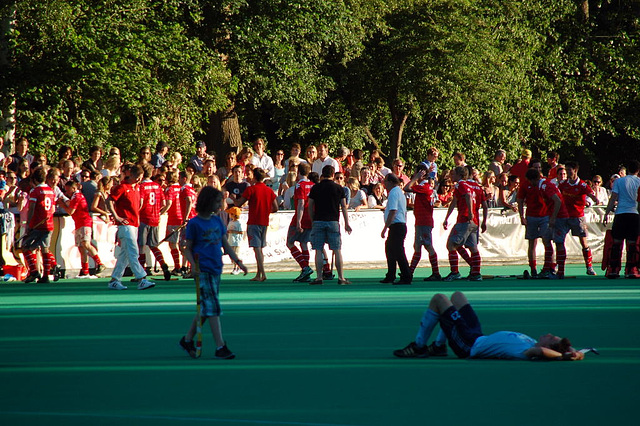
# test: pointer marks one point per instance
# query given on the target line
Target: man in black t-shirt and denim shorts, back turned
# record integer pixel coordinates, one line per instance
(325, 200)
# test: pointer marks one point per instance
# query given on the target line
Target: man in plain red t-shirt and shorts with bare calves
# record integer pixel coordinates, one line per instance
(262, 202)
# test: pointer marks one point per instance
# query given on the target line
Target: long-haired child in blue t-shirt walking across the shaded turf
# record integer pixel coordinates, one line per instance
(206, 237)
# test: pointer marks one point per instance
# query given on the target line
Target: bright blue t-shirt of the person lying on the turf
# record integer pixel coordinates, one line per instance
(502, 345)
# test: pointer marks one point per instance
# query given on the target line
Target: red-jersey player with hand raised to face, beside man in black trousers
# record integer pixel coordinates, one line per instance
(423, 213)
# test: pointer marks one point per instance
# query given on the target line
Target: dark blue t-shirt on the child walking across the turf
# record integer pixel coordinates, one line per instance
(207, 235)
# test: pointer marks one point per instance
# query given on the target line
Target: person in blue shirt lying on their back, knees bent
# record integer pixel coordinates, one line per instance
(461, 327)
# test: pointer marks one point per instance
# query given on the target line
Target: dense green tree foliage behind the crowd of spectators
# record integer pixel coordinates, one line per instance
(457, 74)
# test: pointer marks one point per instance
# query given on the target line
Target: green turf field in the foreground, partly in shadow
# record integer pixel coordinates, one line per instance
(76, 353)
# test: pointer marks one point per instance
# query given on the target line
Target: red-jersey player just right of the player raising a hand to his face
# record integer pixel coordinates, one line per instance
(467, 197)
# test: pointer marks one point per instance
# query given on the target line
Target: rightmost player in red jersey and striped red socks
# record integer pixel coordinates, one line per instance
(574, 194)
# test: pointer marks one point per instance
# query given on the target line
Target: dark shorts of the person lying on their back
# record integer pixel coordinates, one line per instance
(462, 328)
